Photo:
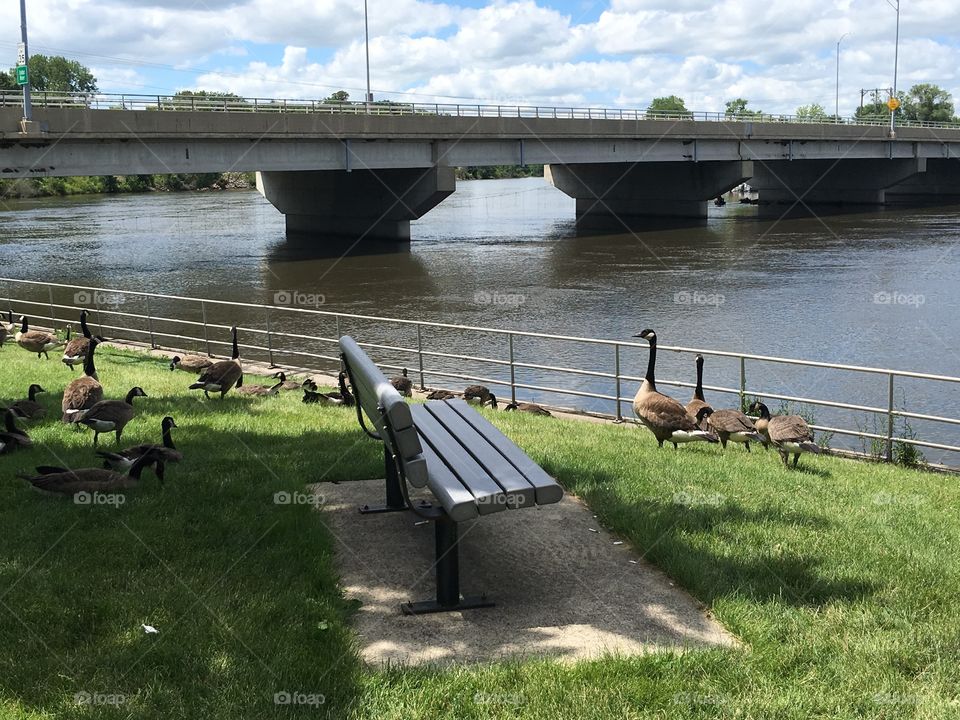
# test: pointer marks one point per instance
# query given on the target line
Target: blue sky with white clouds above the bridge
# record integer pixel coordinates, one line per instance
(778, 54)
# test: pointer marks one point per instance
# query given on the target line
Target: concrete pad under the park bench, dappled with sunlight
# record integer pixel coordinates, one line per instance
(562, 588)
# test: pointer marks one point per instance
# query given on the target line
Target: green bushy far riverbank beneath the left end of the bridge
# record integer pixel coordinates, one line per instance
(115, 184)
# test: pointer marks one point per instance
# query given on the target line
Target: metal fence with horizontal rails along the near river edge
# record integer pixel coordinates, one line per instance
(274, 334)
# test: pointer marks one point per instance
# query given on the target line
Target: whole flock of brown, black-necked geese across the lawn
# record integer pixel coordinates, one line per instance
(83, 405)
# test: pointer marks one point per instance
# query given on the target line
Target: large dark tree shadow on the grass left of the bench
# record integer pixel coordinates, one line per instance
(227, 559)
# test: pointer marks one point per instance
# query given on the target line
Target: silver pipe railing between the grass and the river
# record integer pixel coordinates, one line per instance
(514, 363)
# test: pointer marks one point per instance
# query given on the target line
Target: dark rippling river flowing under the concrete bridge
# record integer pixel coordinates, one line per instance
(877, 289)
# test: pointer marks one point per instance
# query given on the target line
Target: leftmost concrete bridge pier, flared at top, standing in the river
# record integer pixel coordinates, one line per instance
(362, 204)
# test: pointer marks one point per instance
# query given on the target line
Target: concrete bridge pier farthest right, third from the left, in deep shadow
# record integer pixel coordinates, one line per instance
(828, 183)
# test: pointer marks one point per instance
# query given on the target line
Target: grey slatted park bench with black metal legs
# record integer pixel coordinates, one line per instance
(470, 467)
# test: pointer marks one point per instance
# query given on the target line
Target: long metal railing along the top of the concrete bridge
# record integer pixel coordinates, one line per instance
(106, 101)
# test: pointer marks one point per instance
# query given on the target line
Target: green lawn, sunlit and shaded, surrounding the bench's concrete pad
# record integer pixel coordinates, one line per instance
(842, 578)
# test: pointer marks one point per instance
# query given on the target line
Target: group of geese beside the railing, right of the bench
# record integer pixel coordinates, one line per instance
(697, 421)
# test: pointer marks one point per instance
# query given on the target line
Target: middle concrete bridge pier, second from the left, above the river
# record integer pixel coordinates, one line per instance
(629, 193)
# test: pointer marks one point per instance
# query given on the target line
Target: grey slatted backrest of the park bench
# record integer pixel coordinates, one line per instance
(387, 411)
